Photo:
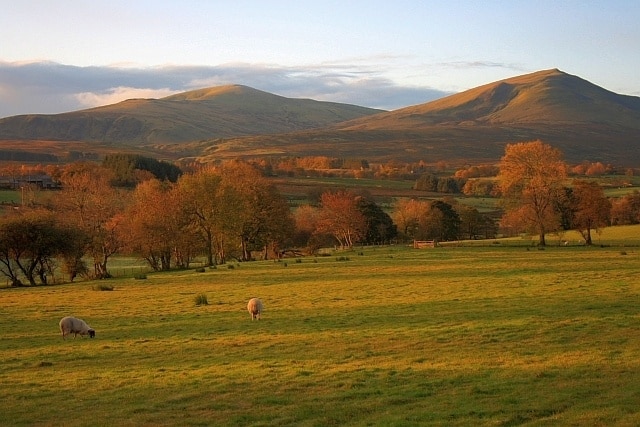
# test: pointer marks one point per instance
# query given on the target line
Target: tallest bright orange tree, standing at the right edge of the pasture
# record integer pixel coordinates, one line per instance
(530, 182)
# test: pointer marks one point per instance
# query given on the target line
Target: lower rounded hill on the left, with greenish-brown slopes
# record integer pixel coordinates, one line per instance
(218, 112)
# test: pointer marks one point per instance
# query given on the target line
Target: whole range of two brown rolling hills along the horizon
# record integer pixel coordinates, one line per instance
(585, 121)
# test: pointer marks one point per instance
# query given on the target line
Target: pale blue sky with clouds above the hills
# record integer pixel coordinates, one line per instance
(58, 56)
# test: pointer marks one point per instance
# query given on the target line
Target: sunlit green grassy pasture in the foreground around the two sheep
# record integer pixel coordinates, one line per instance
(502, 334)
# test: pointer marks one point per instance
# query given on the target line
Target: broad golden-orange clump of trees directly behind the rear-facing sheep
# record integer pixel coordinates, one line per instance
(236, 209)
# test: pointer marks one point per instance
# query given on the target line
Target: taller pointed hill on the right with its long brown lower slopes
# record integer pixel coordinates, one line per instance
(583, 120)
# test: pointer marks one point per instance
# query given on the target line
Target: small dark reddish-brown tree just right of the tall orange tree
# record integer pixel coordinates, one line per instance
(591, 210)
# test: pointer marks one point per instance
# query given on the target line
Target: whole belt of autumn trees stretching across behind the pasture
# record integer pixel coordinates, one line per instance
(232, 211)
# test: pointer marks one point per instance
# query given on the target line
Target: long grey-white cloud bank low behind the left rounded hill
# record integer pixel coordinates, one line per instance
(47, 87)
